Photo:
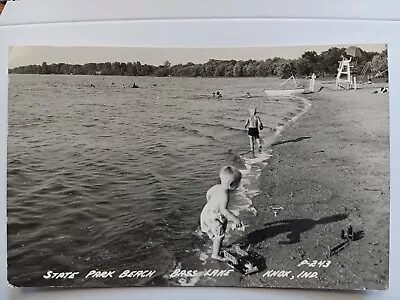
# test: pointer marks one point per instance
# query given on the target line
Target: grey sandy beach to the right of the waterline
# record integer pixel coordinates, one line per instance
(329, 170)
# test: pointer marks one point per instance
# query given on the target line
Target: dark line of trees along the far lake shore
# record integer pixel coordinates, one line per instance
(324, 64)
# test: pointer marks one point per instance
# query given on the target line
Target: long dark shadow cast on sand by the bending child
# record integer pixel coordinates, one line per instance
(292, 227)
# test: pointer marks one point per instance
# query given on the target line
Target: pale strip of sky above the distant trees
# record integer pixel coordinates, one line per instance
(27, 55)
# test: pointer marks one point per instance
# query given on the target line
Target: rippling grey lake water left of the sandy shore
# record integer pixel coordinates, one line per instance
(109, 177)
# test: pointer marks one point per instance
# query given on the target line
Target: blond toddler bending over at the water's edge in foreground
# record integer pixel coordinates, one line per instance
(215, 214)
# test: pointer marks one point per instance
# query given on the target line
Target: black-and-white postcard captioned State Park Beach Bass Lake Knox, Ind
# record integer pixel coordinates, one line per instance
(240, 167)
